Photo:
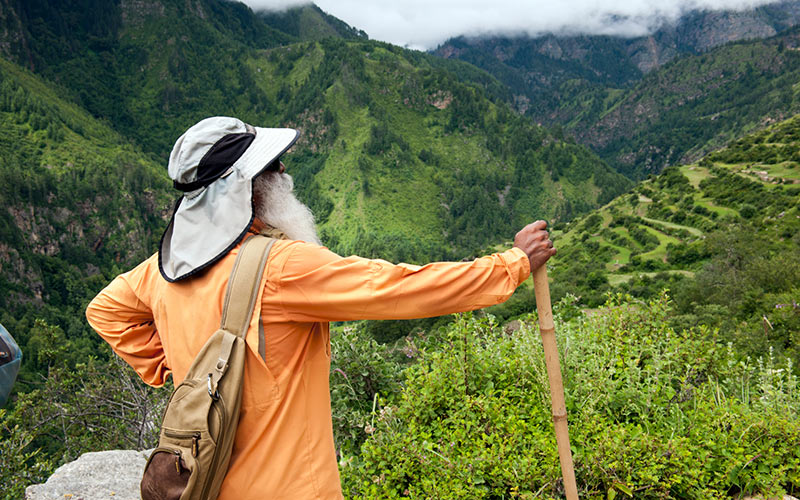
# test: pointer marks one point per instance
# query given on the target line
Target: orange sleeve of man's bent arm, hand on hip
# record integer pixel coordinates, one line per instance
(126, 323)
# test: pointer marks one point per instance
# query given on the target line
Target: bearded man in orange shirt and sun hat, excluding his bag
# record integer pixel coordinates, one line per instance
(158, 315)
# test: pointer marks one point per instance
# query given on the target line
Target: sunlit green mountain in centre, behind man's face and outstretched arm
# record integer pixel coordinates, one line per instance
(401, 159)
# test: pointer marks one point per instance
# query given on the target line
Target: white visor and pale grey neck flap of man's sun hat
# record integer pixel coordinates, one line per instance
(206, 224)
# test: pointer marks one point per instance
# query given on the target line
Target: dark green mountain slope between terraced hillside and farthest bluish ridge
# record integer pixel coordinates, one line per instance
(691, 106)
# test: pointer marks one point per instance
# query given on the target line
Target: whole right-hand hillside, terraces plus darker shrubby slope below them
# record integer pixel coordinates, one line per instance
(722, 235)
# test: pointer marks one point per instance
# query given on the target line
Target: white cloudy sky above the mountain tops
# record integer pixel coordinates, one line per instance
(424, 24)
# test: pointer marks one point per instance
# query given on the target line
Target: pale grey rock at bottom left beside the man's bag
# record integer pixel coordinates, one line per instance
(106, 475)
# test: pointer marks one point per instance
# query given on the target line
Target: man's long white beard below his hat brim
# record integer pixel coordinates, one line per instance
(278, 207)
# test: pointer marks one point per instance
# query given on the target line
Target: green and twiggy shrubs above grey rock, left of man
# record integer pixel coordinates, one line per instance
(79, 403)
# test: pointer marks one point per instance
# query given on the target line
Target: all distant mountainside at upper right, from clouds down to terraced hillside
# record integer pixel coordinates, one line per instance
(673, 114)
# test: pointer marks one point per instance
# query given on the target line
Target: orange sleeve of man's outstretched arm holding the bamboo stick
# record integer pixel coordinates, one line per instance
(315, 284)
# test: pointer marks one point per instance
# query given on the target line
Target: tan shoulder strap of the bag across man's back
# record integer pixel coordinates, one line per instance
(240, 299)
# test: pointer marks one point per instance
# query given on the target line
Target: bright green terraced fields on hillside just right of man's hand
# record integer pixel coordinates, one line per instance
(662, 225)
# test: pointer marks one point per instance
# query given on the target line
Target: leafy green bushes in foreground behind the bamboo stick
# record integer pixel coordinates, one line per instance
(654, 413)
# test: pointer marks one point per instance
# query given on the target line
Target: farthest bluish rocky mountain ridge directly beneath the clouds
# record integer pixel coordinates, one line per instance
(595, 56)
